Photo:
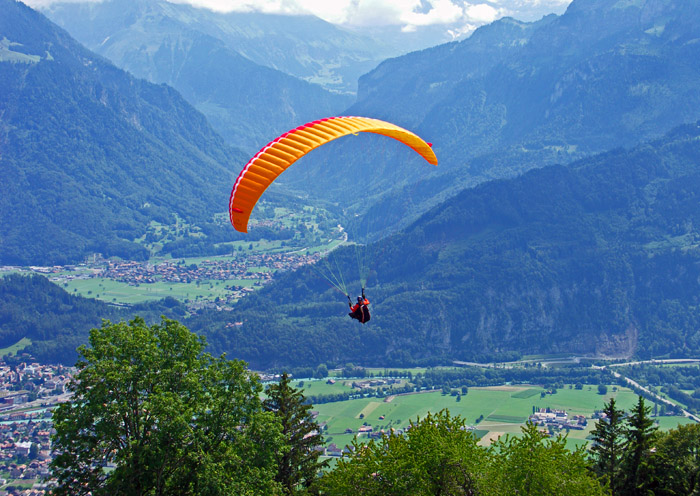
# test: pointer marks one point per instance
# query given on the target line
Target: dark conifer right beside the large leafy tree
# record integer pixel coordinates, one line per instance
(298, 464)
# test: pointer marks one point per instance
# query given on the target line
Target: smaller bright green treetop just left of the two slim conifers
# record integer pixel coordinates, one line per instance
(531, 464)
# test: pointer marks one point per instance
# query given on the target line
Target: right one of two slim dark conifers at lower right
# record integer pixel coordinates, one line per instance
(638, 460)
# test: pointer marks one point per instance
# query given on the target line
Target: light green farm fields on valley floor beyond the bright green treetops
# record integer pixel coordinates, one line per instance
(503, 409)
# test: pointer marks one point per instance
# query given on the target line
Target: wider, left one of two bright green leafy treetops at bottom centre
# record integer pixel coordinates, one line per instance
(437, 455)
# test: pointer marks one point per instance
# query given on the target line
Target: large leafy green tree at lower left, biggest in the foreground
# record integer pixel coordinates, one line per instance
(168, 417)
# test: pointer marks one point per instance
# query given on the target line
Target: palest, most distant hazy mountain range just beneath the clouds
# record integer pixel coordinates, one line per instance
(303, 46)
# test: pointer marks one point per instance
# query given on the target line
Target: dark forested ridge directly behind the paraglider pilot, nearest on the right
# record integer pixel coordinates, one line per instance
(601, 257)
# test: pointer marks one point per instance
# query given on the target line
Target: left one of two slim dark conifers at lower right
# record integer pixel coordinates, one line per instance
(608, 438)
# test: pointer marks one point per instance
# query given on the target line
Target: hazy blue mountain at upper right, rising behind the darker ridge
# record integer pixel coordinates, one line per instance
(516, 95)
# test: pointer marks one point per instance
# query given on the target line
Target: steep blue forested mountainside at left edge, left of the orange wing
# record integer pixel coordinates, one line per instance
(89, 154)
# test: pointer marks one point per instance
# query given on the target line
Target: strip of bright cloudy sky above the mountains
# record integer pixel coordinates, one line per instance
(459, 17)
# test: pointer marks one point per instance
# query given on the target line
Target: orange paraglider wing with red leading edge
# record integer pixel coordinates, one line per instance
(273, 159)
